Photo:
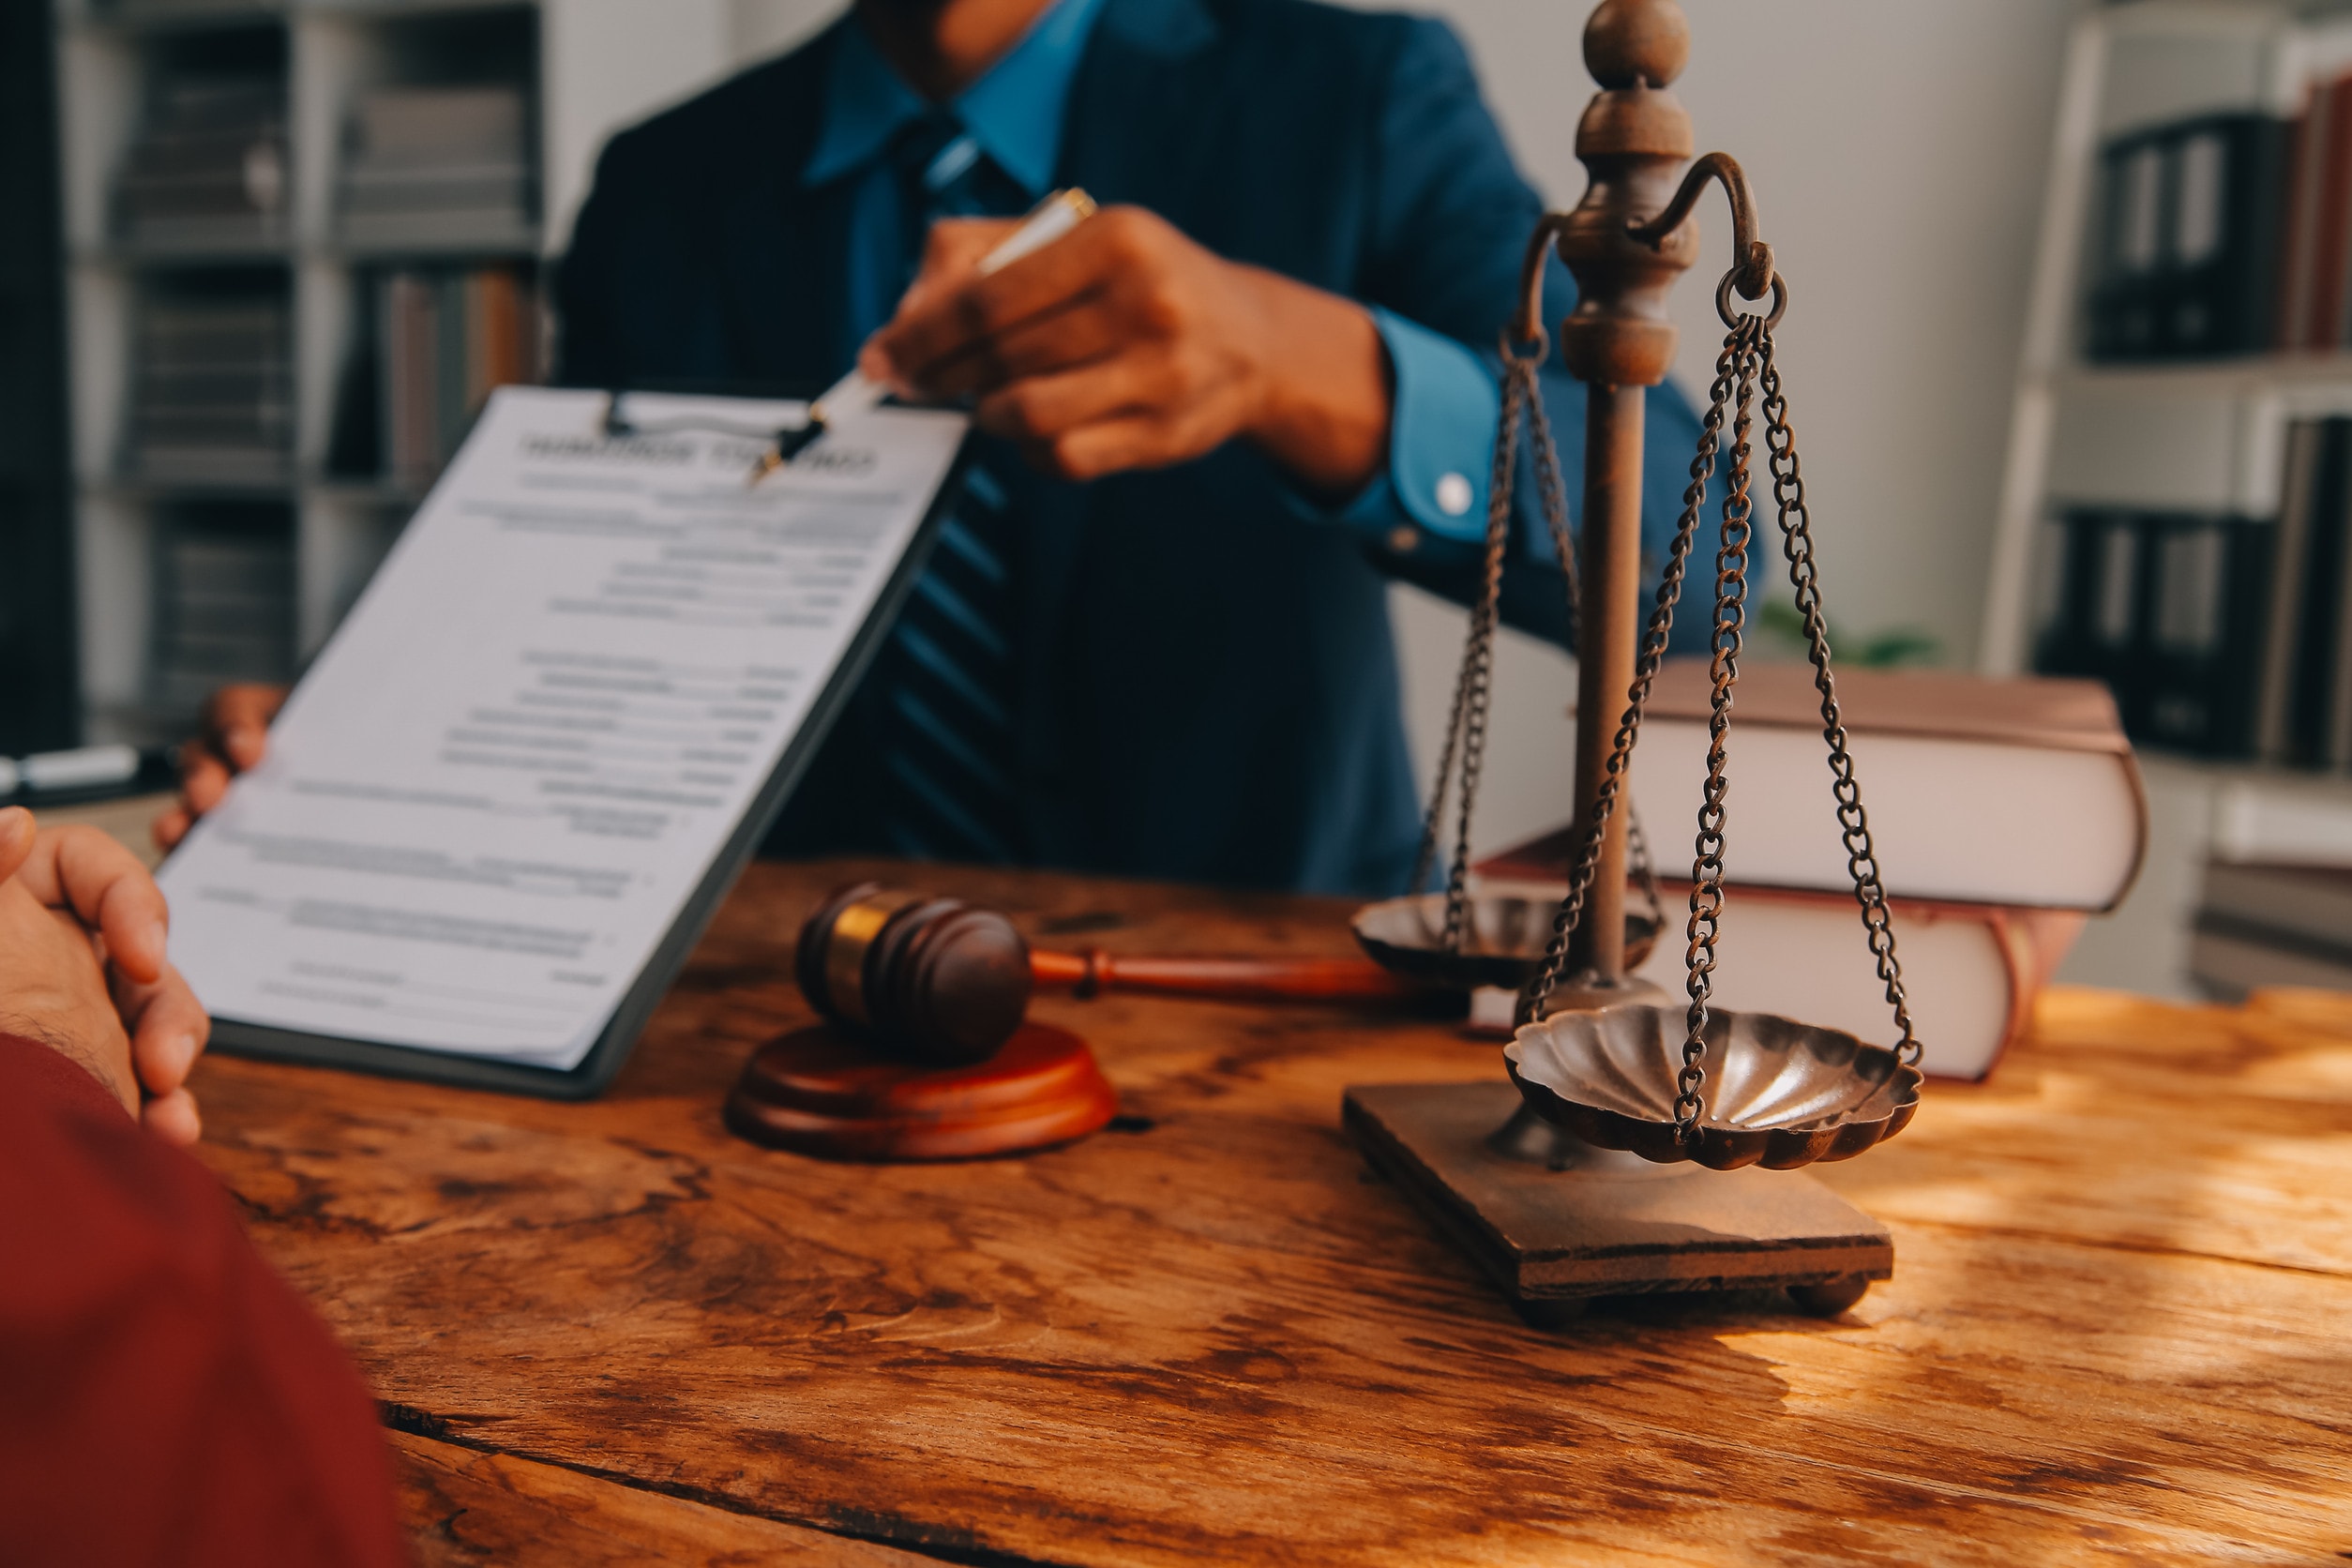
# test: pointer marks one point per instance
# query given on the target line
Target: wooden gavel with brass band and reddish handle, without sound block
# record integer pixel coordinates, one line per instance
(951, 981)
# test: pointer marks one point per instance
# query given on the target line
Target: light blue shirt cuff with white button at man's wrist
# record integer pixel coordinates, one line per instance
(1441, 441)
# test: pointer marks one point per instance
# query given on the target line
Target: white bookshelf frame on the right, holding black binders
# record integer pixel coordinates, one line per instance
(2200, 436)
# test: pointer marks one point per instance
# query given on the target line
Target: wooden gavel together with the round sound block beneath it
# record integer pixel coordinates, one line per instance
(928, 1050)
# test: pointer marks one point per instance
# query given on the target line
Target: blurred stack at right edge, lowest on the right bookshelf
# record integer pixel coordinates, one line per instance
(2273, 925)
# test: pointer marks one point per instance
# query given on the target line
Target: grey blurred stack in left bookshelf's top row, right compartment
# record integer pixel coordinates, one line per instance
(441, 168)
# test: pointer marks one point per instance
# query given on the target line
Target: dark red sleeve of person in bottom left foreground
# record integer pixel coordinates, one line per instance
(163, 1393)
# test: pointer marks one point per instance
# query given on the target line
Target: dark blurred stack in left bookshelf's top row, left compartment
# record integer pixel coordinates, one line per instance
(211, 166)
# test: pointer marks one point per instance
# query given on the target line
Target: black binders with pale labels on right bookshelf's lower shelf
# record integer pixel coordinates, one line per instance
(2174, 615)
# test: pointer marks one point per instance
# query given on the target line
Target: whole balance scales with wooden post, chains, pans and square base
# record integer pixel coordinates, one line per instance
(1638, 1146)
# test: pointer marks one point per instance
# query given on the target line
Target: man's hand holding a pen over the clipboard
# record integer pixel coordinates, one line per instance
(1130, 347)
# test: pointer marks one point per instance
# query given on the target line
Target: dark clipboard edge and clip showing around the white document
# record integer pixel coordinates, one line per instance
(653, 981)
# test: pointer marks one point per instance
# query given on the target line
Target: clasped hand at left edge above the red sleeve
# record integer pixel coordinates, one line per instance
(83, 970)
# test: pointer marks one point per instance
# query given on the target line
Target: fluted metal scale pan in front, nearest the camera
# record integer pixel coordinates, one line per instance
(1779, 1094)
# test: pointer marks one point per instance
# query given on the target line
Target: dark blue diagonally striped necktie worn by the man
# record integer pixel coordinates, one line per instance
(949, 678)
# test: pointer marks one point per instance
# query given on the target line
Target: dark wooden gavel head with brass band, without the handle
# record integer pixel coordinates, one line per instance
(933, 977)
